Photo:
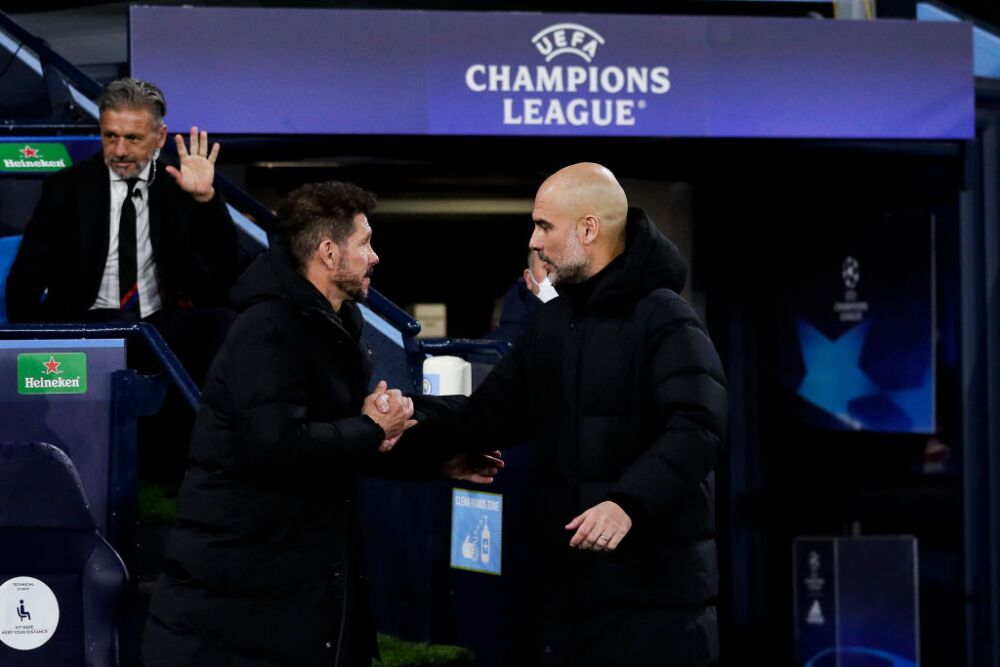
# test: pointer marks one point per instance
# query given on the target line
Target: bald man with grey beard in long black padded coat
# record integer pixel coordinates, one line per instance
(620, 388)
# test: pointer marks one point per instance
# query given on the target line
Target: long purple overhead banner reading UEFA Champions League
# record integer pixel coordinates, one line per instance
(338, 71)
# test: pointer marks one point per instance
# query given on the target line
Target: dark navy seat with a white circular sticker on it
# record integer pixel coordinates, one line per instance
(59, 575)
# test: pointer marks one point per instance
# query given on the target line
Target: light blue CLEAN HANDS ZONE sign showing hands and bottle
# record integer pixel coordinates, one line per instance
(476, 531)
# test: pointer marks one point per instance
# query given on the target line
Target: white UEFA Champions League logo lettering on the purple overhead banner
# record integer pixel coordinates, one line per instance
(573, 92)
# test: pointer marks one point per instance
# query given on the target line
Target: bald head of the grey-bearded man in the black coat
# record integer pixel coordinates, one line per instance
(580, 216)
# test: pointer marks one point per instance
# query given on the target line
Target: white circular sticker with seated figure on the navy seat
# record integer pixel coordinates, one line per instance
(29, 613)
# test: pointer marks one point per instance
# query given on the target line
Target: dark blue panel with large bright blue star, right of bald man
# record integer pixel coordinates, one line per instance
(857, 326)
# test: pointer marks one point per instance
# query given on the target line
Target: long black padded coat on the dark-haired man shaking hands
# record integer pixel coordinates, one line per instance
(264, 564)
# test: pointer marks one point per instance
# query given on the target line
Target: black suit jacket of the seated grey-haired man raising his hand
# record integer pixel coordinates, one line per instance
(65, 246)
